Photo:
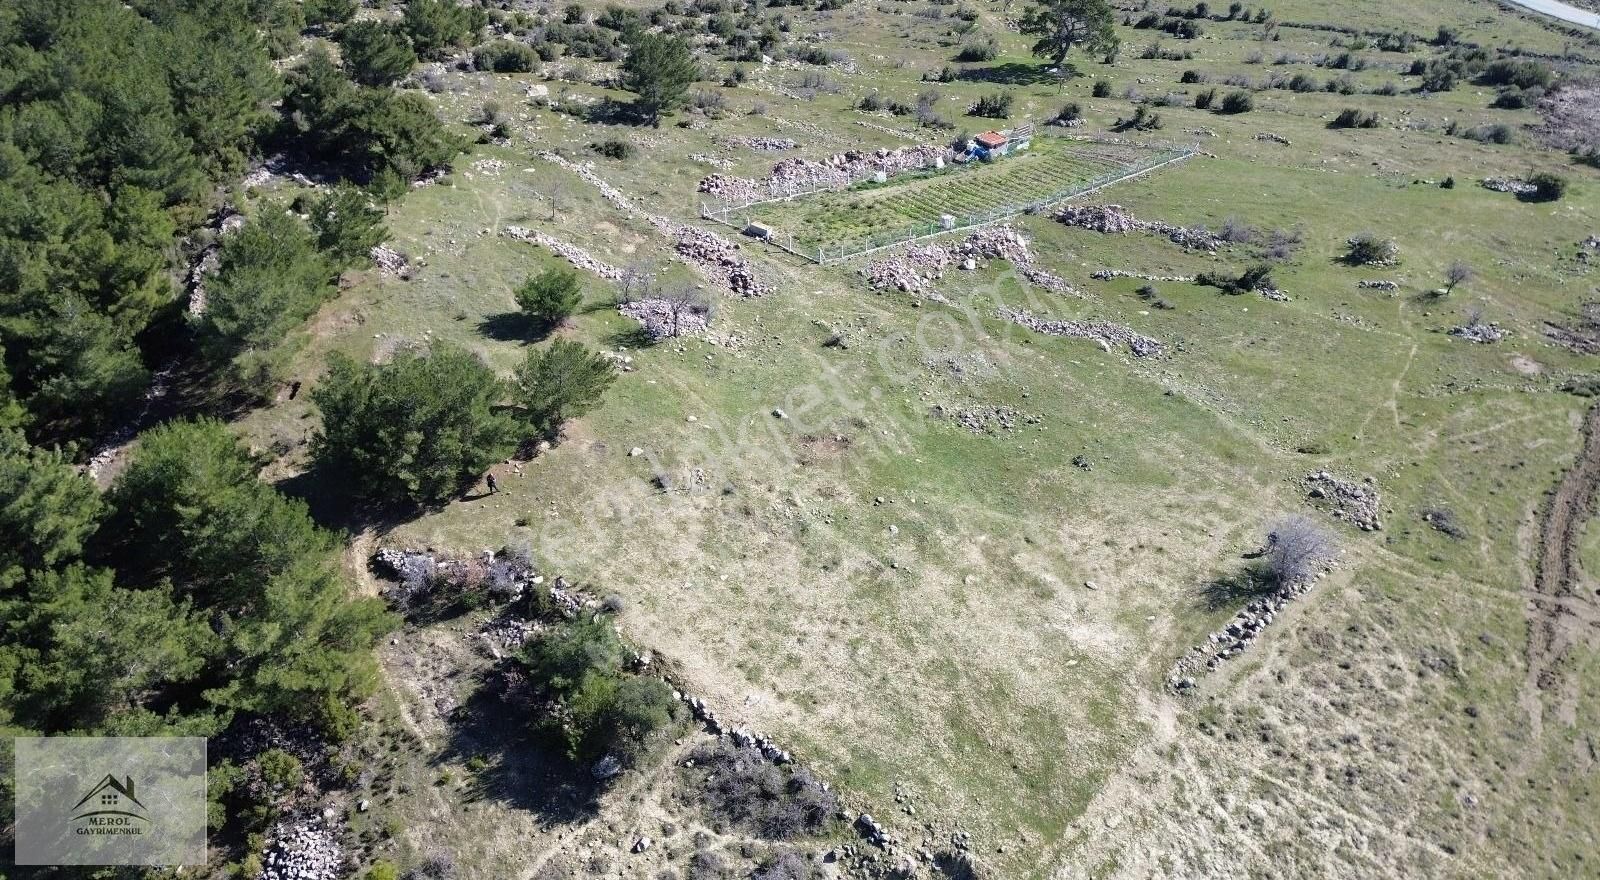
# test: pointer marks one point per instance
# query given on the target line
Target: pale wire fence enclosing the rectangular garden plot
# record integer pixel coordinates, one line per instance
(738, 217)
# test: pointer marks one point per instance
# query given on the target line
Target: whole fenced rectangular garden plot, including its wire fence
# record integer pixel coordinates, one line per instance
(839, 225)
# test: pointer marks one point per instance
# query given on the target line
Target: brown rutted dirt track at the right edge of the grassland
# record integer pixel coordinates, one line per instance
(1561, 610)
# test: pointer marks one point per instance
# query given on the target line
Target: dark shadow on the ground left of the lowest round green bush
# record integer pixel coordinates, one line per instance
(522, 770)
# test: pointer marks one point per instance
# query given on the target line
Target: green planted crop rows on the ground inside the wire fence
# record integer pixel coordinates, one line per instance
(857, 215)
